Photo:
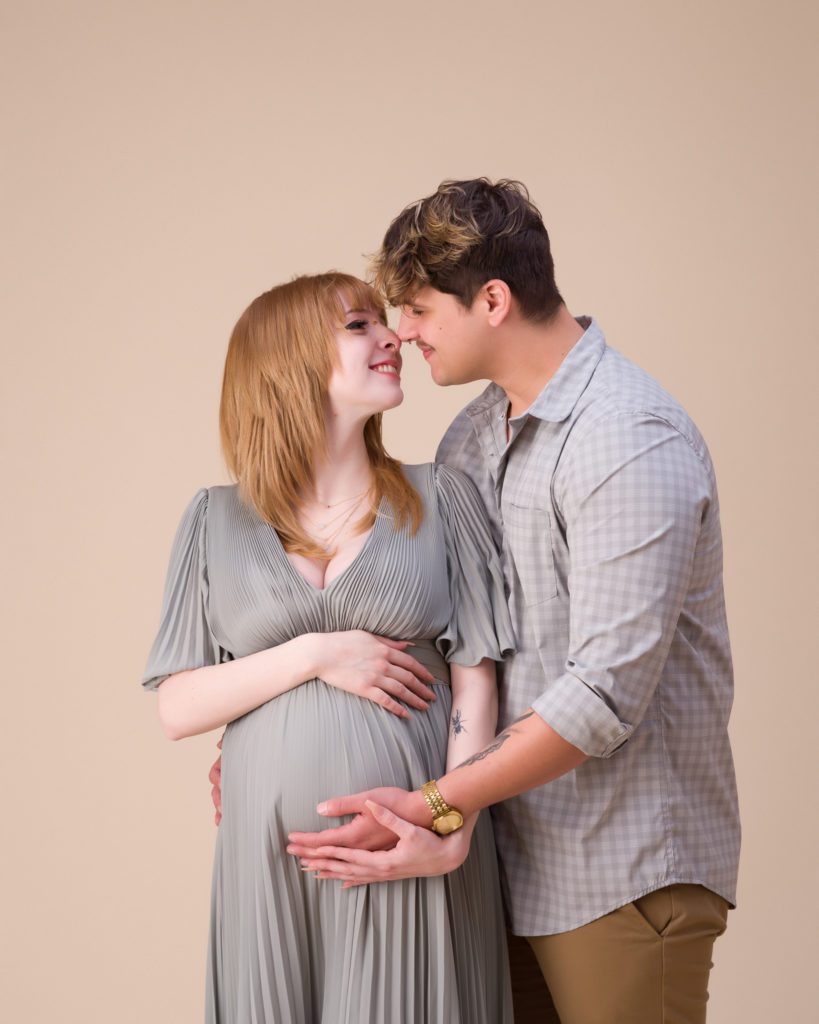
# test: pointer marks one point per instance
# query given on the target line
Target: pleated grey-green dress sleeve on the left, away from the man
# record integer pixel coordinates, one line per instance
(185, 639)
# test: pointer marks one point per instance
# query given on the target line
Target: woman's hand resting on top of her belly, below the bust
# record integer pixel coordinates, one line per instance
(374, 668)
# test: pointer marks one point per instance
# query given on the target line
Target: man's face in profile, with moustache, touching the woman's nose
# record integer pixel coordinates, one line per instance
(454, 340)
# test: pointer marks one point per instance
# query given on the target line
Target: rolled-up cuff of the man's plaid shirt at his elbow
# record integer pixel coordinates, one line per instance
(582, 717)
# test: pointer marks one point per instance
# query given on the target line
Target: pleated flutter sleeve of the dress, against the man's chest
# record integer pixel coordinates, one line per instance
(480, 623)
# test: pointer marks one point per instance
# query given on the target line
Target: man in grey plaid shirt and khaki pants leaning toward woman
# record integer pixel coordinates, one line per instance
(612, 782)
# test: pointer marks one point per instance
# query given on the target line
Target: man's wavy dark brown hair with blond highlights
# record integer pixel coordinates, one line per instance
(464, 235)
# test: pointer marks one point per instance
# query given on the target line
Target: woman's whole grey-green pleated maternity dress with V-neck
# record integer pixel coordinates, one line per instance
(284, 947)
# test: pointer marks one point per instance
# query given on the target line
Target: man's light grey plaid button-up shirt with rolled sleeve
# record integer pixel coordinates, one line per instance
(605, 505)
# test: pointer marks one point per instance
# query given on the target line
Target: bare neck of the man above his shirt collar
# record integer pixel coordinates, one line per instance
(531, 355)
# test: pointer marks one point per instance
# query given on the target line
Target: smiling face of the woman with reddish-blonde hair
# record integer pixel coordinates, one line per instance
(367, 378)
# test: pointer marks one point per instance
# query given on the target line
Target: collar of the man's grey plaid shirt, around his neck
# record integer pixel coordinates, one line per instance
(562, 394)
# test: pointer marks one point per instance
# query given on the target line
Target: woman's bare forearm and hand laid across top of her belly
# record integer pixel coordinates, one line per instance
(371, 667)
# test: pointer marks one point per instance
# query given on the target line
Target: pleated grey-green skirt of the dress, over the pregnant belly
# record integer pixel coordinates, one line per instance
(289, 949)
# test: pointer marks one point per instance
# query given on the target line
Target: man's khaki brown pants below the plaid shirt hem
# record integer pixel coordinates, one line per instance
(646, 963)
